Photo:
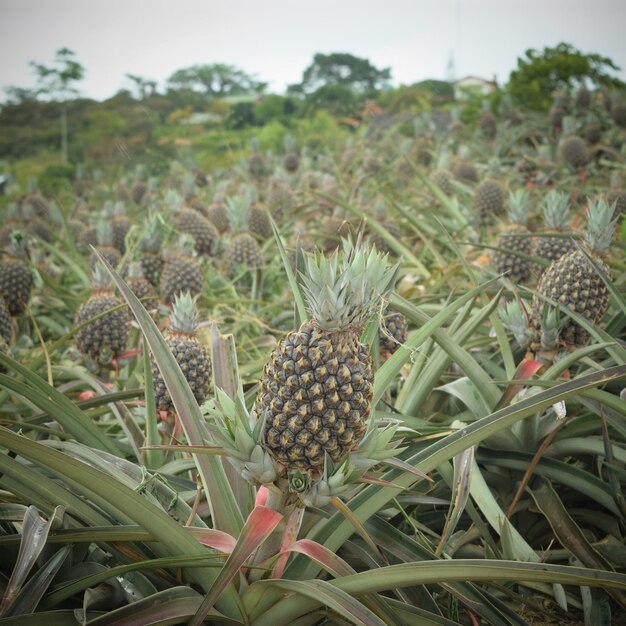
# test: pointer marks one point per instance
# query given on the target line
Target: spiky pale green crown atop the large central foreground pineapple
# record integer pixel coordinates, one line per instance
(346, 290)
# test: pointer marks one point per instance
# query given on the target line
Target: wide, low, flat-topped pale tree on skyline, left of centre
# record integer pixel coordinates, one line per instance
(216, 81)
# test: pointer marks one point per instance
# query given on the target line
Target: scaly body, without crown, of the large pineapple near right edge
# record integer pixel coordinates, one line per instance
(572, 281)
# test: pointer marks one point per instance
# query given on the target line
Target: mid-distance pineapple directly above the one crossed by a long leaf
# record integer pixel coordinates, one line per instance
(181, 271)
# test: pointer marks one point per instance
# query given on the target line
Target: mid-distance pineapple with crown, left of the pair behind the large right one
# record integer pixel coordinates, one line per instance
(516, 237)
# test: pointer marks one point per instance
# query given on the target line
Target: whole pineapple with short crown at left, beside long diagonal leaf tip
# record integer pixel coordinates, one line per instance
(102, 339)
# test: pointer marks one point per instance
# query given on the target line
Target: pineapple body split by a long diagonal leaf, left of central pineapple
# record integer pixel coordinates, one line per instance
(195, 364)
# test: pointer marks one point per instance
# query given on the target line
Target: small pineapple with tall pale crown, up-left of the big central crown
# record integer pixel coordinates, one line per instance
(243, 250)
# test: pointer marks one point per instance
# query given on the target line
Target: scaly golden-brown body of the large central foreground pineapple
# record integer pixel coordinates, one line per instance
(315, 396)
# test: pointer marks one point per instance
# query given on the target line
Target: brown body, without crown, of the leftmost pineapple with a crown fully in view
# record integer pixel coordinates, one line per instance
(109, 331)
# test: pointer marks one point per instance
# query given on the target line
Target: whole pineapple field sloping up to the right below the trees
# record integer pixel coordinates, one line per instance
(367, 371)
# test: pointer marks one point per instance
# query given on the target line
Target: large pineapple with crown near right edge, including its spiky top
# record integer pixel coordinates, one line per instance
(572, 281)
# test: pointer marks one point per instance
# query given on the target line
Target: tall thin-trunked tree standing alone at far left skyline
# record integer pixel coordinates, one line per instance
(57, 83)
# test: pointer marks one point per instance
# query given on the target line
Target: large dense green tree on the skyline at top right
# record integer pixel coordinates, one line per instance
(539, 74)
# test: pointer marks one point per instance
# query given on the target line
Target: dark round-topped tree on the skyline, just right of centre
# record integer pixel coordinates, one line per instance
(341, 68)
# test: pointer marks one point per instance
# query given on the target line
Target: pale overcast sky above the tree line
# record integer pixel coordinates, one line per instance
(275, 40)
